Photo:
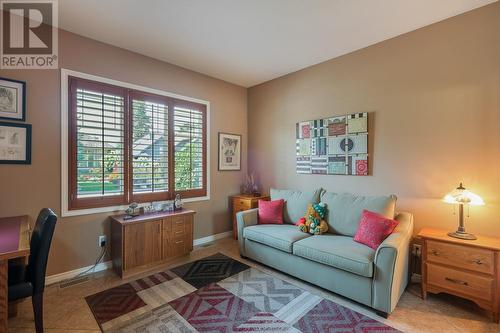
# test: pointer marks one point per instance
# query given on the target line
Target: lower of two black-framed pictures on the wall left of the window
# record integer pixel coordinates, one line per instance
(15, 143)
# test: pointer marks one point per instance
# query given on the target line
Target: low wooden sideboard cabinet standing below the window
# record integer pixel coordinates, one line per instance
(145, 241)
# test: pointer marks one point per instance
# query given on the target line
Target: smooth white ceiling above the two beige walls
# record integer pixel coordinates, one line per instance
(248, 42)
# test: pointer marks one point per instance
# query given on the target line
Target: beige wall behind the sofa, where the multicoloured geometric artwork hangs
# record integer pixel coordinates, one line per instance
(435, 95)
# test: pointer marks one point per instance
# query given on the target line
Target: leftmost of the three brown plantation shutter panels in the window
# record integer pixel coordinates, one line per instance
(98, 147)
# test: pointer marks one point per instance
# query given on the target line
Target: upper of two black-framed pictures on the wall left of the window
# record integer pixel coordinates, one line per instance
(12, 99)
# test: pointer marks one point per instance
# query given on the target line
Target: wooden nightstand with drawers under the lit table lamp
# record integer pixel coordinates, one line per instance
(465, 268)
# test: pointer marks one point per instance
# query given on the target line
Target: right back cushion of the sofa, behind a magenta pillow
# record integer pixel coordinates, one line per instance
(344, 210)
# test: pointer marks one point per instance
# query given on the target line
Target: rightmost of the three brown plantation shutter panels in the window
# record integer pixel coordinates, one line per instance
(189, 149)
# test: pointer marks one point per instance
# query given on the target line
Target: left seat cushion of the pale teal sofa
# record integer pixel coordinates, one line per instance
(278, 236)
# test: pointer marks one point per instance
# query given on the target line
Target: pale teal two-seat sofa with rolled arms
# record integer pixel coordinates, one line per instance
(334, 261)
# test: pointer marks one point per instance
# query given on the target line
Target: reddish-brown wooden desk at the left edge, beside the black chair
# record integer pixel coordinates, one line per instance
(14, 243)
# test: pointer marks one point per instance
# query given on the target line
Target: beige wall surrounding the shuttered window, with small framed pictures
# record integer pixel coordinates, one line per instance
(26, 189)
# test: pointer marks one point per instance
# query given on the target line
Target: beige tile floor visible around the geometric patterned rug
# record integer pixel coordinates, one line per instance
(67, 311)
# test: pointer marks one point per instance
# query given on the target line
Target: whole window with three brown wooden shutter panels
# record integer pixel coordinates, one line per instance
(127, 145)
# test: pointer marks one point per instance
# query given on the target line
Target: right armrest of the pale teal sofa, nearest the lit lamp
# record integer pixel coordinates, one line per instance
(391, 265)
